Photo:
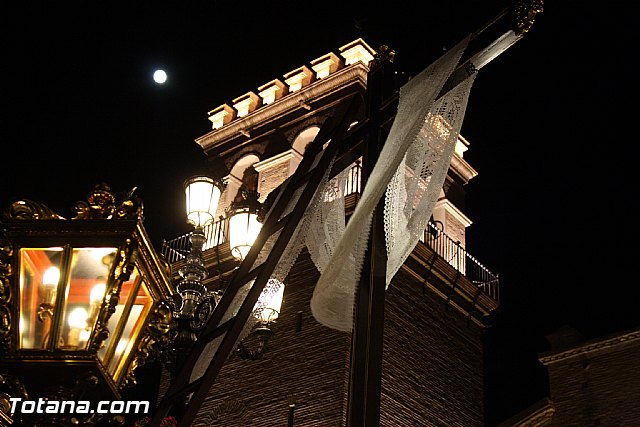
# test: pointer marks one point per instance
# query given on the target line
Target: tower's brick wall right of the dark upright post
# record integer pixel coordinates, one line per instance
(432, 369)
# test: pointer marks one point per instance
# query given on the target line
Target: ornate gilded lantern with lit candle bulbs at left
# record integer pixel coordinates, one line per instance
(82, 302)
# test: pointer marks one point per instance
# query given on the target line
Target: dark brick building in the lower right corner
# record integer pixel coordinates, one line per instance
(594, 382)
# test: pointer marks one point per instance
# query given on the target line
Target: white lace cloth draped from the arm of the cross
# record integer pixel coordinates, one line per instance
(410, 165)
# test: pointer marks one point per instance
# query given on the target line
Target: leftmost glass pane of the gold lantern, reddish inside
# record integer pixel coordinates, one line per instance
(39, 277)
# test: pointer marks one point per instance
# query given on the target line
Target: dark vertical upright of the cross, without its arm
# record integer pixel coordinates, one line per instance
(363, 405)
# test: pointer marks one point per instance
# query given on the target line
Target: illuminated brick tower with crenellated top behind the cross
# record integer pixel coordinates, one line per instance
(437, 305)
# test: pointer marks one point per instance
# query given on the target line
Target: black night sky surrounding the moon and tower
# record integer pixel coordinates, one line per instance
(549, 121)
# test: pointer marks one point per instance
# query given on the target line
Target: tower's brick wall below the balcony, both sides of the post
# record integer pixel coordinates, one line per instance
(432, 370)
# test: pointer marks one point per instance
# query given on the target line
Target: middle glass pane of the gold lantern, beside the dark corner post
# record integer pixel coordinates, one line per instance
(84, 295)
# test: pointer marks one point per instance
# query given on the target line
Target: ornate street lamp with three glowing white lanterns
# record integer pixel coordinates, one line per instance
(195, 301)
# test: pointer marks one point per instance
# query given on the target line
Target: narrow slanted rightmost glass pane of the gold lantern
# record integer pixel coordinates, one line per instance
(134, 323)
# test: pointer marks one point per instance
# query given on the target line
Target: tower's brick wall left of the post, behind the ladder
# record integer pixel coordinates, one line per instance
(305, 366)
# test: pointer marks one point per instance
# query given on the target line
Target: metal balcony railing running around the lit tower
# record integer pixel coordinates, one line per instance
(448, 248)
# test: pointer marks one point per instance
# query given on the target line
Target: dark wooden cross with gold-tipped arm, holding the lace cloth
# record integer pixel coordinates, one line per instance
(365, 376)
